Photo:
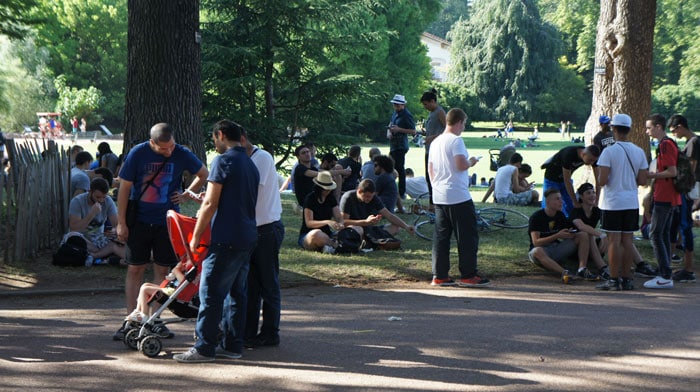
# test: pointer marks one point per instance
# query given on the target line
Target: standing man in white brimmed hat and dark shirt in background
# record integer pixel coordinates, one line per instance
(401, 125)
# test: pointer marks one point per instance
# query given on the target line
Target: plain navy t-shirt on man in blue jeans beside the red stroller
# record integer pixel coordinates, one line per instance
(234, 222)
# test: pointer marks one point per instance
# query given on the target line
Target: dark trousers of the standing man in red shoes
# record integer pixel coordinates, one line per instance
(460, 219)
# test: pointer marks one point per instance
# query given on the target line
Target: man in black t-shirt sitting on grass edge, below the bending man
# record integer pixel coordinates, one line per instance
(553, 240)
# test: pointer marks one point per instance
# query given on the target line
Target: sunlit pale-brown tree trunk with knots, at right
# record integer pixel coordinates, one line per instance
(623, 65)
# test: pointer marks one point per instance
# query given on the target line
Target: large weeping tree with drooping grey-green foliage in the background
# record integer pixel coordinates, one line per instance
(506, 54)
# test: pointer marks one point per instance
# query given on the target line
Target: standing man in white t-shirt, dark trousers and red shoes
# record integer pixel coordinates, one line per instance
(448, 165)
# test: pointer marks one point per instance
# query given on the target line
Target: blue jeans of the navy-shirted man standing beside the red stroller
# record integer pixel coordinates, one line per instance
(223, 299)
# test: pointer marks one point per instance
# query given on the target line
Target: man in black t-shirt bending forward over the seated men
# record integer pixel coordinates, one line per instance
(560, 166)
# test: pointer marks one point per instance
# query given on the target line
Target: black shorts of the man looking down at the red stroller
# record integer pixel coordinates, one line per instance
(146, 240)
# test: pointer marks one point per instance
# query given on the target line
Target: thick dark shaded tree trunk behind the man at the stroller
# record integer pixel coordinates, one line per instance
(164, 72)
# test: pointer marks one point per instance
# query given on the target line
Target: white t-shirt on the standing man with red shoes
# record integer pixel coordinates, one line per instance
(450, 185)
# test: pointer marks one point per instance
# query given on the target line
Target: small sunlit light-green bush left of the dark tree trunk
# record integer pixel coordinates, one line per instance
(80, 103)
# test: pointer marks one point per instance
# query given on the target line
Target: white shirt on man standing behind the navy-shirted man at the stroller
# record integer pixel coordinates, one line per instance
(268, 208)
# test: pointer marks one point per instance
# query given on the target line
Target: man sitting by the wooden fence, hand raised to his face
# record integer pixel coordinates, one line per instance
(87, 214)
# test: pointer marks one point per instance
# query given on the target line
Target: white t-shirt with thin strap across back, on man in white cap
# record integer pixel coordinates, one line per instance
(620, 193)
